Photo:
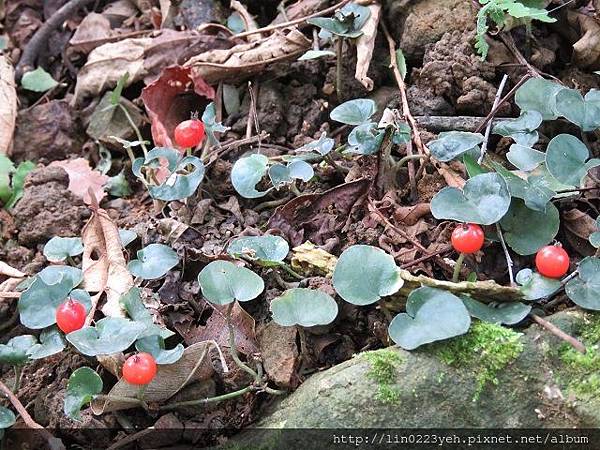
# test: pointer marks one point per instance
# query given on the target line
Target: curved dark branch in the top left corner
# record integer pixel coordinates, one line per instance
(41, 37)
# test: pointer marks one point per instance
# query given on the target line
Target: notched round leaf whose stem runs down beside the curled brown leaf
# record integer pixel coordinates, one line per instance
(223, 282)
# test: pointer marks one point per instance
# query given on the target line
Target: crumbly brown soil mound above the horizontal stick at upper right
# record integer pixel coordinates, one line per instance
(453, 79)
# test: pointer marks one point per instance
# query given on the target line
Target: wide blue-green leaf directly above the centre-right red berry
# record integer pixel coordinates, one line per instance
(483, 200)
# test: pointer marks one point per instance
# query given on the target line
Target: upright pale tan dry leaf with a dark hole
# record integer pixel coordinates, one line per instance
(104, 267)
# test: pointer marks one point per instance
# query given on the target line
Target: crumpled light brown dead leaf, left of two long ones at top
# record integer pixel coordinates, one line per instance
(141, 58)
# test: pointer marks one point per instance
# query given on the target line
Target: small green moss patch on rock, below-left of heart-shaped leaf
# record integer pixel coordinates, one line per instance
(384, 371)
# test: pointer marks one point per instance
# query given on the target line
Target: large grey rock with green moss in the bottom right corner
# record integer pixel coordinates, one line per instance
(492, 377)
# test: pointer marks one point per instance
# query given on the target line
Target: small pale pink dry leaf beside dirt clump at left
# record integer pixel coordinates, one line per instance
(82, 178)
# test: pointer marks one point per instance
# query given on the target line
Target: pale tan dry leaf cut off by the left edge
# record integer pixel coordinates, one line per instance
(8, 104)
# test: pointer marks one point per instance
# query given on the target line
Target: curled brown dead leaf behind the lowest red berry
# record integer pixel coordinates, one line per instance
(193, 366)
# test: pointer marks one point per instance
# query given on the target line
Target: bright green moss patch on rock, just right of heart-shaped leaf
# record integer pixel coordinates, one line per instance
(486, 350)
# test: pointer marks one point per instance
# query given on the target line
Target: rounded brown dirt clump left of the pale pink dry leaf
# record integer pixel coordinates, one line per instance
(47, 208)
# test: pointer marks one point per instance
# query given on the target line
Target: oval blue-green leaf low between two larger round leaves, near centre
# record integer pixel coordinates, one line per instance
(304, 307)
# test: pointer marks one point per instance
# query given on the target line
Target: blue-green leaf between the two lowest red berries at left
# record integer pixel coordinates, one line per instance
(110, 335)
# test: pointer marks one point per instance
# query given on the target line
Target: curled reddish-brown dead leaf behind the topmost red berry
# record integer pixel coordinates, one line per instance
(172, 98)
